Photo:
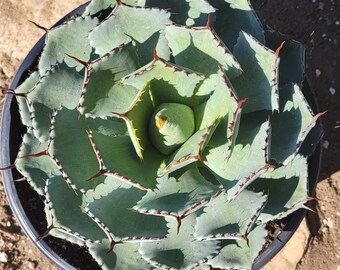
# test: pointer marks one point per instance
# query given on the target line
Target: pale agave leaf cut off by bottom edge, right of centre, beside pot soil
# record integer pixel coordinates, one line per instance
(237, 254)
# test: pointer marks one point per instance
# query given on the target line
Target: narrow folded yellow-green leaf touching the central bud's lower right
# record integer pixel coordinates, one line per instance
(190, 151)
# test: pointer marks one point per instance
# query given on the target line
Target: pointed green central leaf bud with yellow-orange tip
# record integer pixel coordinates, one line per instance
(171, 124)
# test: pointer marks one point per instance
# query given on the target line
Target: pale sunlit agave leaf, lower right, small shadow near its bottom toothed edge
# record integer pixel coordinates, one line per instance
(223, 219)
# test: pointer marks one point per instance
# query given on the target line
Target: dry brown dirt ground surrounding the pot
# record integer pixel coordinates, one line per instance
(316, 23)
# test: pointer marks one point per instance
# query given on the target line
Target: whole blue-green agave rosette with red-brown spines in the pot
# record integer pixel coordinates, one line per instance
(167, 134)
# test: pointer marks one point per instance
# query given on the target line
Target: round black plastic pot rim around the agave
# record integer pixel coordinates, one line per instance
(12, 130)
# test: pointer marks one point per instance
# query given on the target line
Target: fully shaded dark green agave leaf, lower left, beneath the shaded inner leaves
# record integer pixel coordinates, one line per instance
(121, 222)
